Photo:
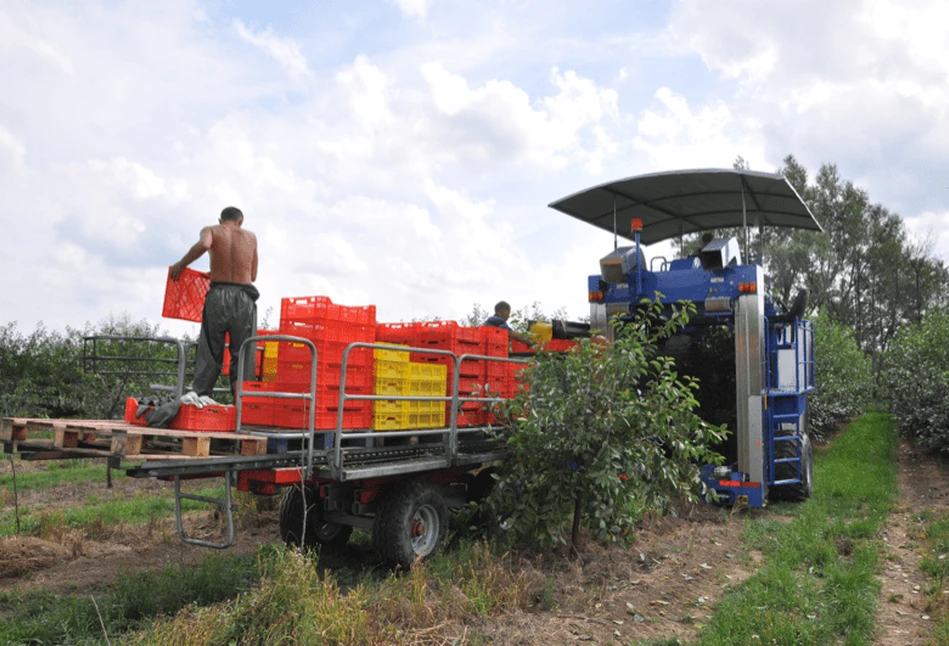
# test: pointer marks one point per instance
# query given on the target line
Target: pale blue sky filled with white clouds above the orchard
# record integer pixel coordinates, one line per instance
(402, 153)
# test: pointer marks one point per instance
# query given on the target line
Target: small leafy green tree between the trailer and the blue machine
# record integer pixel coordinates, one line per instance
(603, 433)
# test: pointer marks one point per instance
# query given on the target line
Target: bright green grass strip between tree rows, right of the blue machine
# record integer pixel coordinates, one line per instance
(817, 583)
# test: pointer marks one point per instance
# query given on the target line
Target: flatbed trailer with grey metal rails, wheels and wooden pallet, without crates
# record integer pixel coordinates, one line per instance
(399, 484)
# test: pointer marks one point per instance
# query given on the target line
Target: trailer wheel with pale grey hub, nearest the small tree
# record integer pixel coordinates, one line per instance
(411, 523)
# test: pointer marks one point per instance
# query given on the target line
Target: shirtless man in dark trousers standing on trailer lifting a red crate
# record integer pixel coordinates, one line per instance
(231, 303)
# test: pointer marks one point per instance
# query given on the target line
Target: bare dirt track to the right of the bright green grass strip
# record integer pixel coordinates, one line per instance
(903, 617)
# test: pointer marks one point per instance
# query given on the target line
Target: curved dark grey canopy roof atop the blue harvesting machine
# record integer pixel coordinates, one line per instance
(680, 202)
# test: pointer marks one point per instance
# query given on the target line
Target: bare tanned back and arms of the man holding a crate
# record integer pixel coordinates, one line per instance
(233, 252)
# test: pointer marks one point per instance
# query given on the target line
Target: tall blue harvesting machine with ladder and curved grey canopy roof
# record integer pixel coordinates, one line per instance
(774, 350)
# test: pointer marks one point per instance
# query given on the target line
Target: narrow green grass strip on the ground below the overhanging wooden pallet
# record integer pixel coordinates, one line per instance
(96, 514)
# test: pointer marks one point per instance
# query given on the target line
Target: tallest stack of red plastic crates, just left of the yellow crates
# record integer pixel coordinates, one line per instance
(330, 327)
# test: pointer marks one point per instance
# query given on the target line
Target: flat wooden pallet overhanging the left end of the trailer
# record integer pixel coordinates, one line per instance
(111, 438)
